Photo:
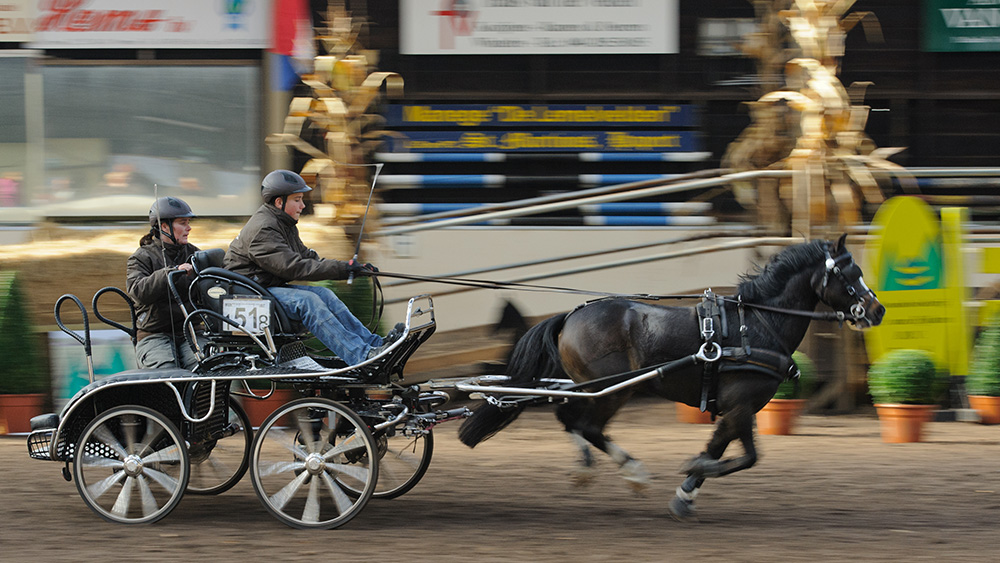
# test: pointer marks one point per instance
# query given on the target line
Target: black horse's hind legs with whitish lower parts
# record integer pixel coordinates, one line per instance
(585, 423)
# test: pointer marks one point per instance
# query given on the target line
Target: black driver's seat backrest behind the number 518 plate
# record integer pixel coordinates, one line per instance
(214, 286)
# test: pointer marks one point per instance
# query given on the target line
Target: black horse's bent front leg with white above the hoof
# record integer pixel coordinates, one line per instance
(708, 463)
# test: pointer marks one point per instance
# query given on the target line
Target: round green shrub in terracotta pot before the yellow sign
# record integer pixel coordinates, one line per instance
(904, 385)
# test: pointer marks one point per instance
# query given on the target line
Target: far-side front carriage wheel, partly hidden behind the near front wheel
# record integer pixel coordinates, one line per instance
(402, 461)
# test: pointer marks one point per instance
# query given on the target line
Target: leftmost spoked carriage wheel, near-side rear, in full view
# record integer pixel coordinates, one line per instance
(131, 465)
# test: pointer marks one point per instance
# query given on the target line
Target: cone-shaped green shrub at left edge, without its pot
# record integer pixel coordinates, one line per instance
(22, 365)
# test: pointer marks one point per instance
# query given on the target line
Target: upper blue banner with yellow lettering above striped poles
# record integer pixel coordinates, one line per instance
(557, 115)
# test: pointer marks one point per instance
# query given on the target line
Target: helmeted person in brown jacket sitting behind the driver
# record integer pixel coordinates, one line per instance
(164, 249)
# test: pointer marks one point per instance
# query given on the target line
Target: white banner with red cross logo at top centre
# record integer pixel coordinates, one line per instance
(523, 27)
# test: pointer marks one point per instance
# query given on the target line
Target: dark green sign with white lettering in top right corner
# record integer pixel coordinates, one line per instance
(961, 25)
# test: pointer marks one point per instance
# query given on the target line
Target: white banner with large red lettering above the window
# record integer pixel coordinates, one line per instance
(151, 24)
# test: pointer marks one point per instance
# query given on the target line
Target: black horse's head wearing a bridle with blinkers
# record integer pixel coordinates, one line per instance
(840, 285)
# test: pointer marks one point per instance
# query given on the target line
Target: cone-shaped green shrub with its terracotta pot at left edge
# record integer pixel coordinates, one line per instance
(23, 373)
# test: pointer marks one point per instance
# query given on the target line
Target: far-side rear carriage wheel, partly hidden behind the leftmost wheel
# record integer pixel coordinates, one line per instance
(218, 465)
